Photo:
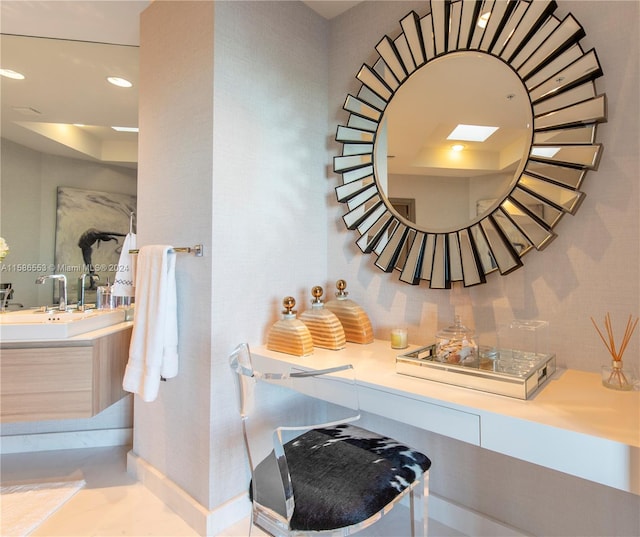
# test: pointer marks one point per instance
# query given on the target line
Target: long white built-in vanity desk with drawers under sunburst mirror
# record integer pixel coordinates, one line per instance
(572, 424)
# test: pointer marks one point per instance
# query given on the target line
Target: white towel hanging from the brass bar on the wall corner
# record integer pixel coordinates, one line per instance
(153, 352)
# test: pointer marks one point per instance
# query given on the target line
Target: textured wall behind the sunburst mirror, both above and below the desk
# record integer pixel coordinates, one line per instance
(591, 268)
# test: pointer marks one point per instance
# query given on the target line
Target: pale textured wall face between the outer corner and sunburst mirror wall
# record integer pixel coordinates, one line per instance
(269, 201)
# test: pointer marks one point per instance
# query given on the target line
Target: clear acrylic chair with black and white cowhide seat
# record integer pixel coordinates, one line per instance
(312, 471)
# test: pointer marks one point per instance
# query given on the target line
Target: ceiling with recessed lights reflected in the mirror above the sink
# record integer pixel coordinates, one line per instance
(64, 105)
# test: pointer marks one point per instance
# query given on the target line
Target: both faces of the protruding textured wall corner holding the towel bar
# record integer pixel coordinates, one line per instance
(233, 132)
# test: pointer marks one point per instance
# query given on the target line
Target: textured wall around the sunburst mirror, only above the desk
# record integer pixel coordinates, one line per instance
(589, 269)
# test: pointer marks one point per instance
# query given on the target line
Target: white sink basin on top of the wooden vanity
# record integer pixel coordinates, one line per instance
(33, 324)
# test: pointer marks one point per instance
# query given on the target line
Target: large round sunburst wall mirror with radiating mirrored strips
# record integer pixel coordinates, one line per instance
(469, 139)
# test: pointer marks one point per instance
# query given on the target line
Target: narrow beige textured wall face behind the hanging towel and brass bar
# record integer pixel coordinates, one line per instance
(174, 207)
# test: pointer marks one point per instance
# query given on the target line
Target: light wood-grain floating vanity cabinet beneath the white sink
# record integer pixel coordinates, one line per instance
(67, 379)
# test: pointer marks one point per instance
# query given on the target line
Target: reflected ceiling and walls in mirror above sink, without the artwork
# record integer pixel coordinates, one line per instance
(57, 132)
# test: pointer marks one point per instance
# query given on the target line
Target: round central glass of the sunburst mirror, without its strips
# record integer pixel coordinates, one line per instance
(452, 179)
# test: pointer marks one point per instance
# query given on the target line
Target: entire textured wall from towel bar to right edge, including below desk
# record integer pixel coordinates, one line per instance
(236, 153)
